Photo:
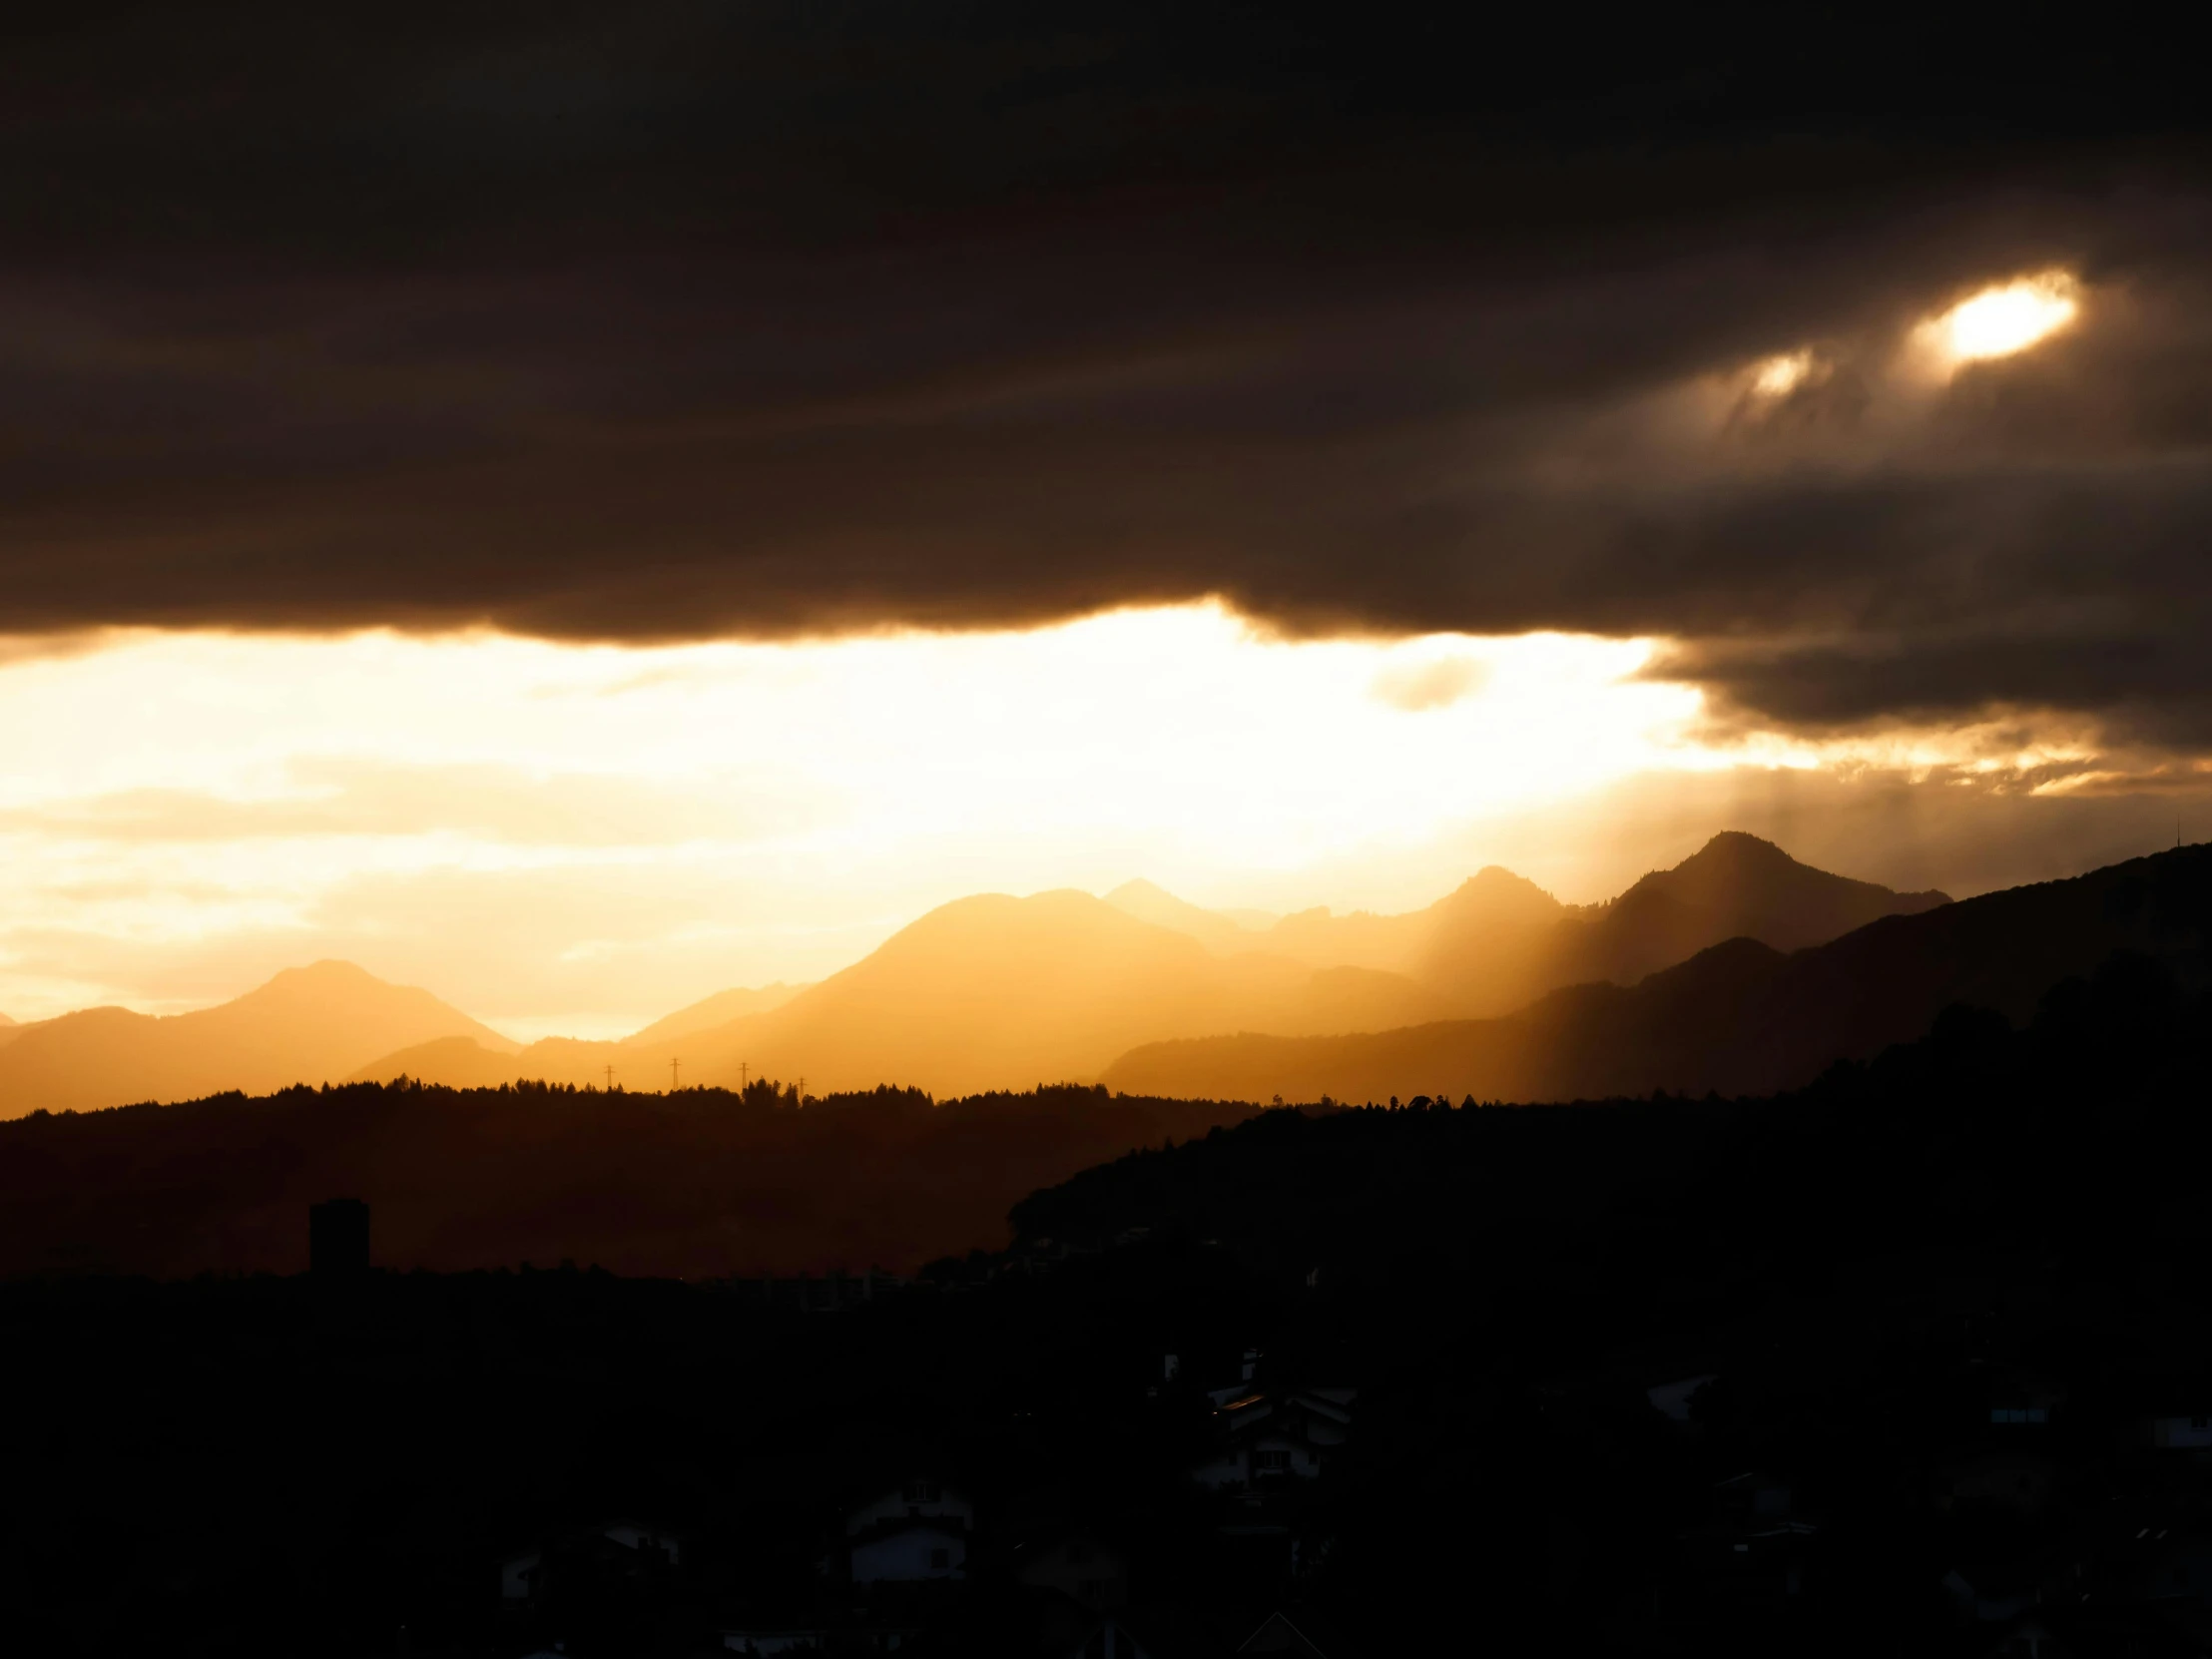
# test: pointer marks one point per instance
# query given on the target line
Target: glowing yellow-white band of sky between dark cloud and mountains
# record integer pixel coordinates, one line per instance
(605, 833)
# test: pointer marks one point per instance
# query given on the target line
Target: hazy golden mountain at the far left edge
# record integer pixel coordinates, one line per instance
(306, 1025)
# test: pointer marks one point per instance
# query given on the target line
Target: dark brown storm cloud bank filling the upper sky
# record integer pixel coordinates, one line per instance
(665, 322)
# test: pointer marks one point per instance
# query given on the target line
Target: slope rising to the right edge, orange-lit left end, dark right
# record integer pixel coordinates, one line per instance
(1740, 1019)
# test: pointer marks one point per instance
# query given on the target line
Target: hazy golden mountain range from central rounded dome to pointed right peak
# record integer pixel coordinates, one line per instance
(999, 992)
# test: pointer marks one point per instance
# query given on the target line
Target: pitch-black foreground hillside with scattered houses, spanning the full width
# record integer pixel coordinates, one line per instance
(1906, 1364)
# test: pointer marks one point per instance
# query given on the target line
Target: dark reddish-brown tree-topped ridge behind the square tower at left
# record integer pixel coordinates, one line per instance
(693, 1185)
